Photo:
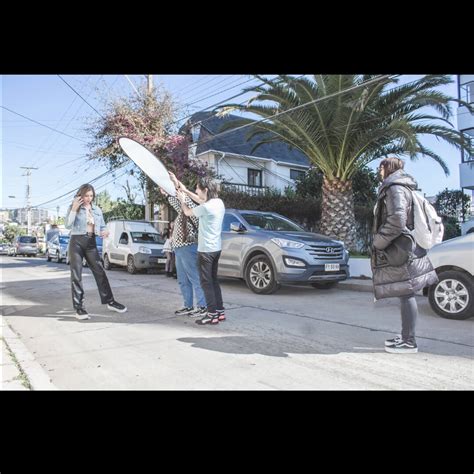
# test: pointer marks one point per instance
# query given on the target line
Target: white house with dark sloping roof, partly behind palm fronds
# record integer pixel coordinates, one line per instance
(270, 165)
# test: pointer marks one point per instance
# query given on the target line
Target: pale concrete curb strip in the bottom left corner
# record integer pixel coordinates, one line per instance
(37, 377)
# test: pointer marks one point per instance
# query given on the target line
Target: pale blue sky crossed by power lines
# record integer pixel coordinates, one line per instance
(60, 158)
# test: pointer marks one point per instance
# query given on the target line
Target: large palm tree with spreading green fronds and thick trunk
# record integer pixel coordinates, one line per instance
(352, 120)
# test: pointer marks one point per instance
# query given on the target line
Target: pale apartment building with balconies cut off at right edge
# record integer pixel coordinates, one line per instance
(466, 126)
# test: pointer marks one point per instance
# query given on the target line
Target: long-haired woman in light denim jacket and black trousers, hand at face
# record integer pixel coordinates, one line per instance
(85, 221)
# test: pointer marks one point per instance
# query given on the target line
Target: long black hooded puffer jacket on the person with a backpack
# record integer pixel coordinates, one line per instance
(394, 218)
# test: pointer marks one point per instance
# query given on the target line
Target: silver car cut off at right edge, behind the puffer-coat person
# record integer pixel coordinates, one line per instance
(453, 296)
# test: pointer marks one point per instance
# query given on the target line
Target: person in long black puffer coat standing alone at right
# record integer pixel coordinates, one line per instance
(400, 267)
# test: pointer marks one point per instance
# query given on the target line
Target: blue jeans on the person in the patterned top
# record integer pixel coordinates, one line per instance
(188, 275)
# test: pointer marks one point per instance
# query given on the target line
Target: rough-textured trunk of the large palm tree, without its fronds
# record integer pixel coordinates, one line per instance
(337, 212)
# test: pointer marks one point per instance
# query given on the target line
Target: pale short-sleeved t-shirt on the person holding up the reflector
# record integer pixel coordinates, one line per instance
(211, 215)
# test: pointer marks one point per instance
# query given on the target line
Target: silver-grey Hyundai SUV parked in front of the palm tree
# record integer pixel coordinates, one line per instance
(267, 249)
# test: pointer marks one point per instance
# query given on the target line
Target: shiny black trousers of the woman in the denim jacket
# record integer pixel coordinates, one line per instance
(80, 247)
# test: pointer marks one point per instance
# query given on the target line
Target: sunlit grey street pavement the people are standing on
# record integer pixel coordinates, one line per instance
(299, 338)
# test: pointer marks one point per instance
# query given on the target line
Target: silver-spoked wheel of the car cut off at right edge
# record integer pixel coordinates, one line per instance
(453, 296)
